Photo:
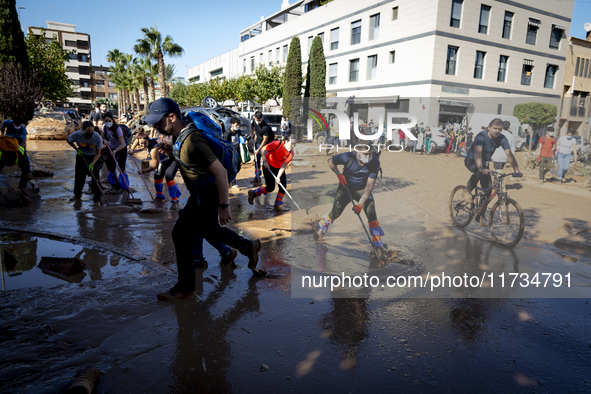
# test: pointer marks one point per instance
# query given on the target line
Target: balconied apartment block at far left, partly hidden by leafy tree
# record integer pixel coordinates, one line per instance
(79, 64)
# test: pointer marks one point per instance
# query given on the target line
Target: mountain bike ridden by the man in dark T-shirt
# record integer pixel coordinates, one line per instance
(505, 222)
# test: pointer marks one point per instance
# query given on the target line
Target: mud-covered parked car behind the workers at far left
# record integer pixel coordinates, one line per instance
(50, 126)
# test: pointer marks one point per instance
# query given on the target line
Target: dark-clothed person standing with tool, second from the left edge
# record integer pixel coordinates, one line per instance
(88, 159)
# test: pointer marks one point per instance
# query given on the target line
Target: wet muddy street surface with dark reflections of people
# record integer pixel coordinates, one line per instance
(245, 334)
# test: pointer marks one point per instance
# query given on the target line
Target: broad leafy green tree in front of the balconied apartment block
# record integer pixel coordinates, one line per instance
(49, 60)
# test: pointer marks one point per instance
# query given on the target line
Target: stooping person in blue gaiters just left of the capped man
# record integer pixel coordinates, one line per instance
(164, 167)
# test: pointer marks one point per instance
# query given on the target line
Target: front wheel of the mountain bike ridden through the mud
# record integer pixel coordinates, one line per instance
(506, 222)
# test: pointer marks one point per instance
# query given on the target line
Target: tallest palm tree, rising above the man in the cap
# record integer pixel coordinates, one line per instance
(153, 45)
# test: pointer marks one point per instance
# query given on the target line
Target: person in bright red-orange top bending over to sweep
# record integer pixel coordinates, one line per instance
(275, 157)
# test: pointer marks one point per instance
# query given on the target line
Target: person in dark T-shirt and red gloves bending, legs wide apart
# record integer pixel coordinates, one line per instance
(359, 176)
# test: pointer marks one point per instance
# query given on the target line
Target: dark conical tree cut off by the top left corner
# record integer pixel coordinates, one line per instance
(12, 40)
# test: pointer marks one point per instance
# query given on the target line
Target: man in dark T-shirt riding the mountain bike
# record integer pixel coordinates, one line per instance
(479, 156)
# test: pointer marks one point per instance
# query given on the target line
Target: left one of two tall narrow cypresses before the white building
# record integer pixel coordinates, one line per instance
(292, 84)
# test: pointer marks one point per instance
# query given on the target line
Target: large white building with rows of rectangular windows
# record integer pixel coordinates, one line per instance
(433, 58)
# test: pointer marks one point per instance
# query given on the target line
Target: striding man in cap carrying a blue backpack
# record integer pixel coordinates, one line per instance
(198, 152)
